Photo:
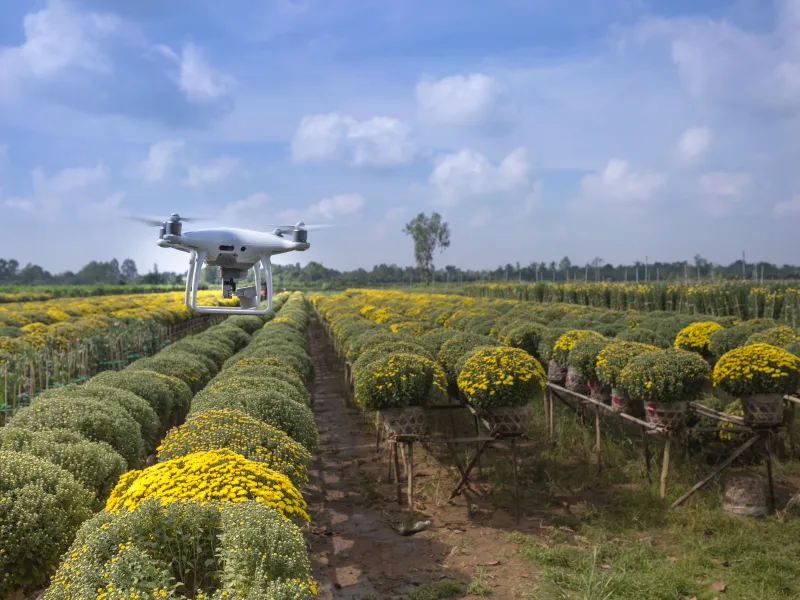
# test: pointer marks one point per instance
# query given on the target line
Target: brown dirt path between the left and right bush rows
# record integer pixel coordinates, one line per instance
(355, 548)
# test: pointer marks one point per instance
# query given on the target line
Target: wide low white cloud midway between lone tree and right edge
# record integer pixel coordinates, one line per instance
(619, 183)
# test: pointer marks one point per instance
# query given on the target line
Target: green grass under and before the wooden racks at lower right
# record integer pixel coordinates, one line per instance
(616, 539)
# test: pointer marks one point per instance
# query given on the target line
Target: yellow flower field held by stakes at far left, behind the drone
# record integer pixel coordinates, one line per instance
(66, 340)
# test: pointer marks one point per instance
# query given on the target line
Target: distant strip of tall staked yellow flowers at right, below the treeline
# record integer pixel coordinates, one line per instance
(780, 301)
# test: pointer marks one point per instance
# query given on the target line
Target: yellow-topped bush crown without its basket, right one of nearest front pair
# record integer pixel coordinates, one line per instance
(497, 377)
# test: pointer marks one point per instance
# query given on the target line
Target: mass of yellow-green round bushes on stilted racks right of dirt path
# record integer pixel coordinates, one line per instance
(493, 351)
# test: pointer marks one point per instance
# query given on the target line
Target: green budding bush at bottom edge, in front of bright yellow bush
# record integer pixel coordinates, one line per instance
(187, 550)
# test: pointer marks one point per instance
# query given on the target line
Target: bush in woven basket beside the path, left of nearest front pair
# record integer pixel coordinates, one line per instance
(399, 386)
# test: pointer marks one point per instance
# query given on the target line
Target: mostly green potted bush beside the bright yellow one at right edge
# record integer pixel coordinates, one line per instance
(665, 381)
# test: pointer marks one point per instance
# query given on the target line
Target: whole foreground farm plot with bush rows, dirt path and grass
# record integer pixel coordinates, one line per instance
(243, 461)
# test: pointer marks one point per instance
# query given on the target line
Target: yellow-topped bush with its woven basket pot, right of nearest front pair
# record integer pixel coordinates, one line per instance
(500, 382)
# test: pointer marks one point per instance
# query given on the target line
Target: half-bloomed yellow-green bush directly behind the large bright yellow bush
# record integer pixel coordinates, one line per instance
(243, 434)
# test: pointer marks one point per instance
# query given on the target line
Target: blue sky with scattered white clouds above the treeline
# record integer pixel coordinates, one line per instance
(619, 129)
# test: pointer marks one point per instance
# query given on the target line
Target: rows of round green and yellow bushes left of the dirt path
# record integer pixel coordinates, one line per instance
(178, 476)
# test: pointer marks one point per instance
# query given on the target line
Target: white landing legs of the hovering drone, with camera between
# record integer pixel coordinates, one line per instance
(249, 297)
